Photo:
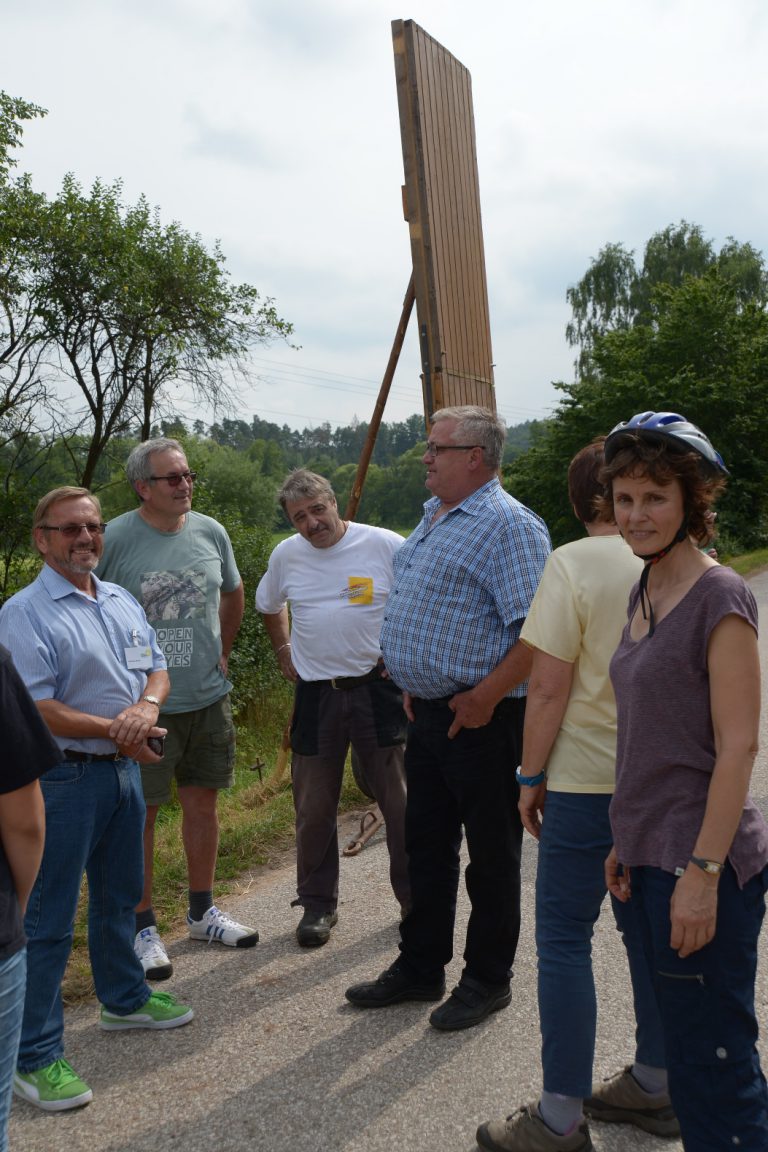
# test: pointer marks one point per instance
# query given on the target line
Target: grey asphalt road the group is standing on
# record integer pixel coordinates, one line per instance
(278, 1062)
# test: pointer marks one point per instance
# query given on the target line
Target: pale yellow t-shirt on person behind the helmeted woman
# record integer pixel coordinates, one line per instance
(577, 616)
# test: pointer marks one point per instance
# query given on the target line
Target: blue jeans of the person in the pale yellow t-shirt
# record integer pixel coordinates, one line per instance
(575, 840)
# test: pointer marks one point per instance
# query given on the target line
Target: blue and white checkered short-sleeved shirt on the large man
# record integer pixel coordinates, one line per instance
(462, 590)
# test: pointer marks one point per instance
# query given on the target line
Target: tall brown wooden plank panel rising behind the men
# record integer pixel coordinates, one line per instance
(442, 204)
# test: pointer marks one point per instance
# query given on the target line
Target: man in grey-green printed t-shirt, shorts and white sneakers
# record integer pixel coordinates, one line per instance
(180, 566)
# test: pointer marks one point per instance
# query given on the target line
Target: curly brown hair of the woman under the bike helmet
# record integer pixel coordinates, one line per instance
(664, 464)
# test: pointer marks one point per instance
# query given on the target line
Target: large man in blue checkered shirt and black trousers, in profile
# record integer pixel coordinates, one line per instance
(463, 585)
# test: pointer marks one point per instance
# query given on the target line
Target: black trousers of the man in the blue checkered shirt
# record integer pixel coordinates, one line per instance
(463, 784)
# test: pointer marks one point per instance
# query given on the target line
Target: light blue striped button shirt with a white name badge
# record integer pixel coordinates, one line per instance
(70, 648)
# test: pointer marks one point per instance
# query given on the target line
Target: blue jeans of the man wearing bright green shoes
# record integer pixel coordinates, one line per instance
(95, 824)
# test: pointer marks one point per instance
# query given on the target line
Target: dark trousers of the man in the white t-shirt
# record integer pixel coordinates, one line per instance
(326, 722)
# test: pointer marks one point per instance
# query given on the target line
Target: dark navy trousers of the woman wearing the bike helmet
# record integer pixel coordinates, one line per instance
(708, 1009)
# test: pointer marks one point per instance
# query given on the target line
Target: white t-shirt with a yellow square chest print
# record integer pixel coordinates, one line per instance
(337, 600)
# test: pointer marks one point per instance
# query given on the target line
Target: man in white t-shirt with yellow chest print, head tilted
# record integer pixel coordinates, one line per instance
(336, 575)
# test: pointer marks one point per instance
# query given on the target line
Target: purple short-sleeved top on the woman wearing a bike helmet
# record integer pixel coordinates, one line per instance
(666, 748)
